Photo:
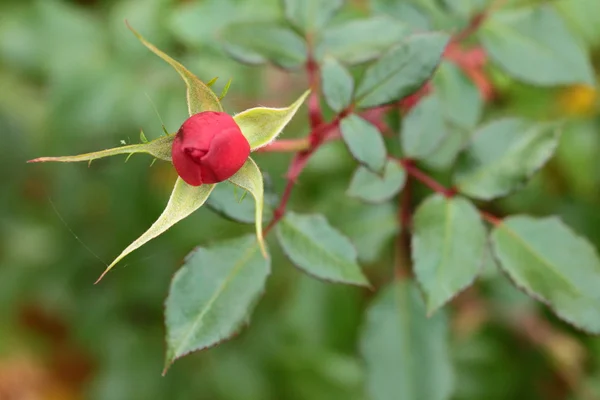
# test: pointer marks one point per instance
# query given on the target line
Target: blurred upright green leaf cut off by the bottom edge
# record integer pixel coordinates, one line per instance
(406, 354)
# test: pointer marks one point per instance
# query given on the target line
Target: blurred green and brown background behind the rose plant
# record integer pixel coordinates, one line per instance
(73, 79)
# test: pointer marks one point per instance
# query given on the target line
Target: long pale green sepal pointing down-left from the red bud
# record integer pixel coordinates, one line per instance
(184, 200)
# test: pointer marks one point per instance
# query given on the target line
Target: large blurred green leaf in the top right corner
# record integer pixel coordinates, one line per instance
(535, 46)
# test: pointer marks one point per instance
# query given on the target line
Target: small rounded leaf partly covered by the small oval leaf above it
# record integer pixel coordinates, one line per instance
(373, 188)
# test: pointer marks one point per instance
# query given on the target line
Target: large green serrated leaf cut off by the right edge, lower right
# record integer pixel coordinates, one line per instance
(547, 260)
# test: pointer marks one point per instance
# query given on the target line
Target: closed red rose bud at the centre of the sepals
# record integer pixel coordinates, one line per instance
(209, 148)
